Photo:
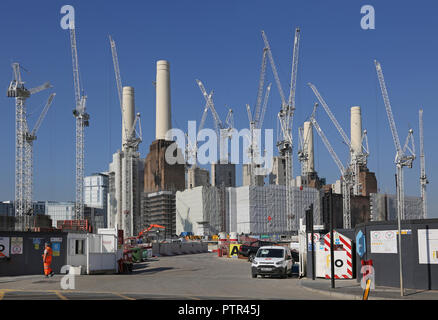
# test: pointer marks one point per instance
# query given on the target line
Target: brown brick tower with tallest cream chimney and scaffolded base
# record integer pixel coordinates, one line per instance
(162, 178)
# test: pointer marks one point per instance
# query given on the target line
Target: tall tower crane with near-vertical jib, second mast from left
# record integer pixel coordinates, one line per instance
(82, 121)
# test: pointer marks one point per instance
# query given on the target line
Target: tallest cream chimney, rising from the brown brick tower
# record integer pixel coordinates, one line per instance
(163, 115)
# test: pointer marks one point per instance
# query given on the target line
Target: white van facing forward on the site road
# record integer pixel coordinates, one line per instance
(272, 260)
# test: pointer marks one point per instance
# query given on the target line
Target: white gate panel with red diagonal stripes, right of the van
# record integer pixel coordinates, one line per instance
(342, 254)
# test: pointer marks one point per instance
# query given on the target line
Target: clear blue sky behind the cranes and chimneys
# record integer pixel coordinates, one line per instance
(219, 42)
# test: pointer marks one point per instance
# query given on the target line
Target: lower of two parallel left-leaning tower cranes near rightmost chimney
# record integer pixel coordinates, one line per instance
(345, 172)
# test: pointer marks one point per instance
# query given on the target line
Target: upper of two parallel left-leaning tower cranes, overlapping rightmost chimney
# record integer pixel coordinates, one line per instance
(356, 159)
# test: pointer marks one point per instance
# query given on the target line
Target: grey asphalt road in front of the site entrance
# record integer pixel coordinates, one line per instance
(192, 277)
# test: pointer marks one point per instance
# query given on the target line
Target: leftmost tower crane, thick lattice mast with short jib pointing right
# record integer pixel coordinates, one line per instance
(23, 167)
